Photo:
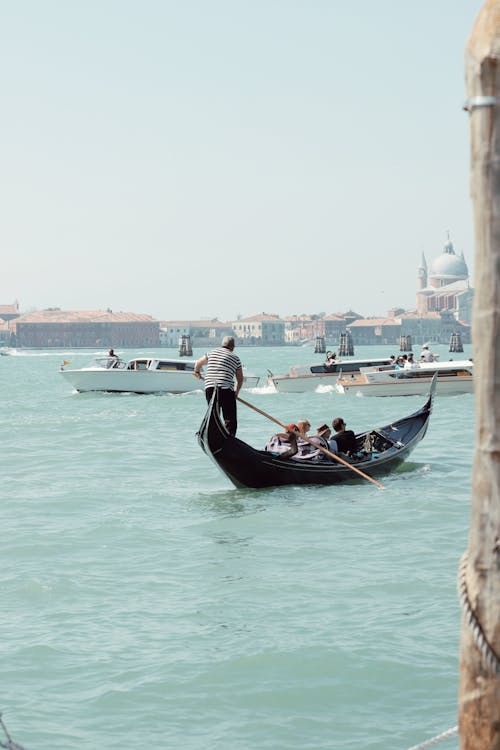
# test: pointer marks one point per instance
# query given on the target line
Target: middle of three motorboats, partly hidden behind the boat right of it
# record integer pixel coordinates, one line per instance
(309, 377)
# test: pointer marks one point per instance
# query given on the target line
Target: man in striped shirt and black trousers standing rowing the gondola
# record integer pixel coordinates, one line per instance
(222, 369)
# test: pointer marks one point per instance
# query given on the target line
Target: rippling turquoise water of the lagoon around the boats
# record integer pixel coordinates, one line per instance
(148, 603)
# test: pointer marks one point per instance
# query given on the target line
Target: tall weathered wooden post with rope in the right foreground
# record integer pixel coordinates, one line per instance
(479, 581)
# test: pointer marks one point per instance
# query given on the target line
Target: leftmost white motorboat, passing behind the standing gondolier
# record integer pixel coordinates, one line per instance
(139, 375)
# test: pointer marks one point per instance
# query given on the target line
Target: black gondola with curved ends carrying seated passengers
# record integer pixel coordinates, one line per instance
(248, 467)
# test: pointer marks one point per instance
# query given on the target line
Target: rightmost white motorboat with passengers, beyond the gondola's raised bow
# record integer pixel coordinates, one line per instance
(455, 376)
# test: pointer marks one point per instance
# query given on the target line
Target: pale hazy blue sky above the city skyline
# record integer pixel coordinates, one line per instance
(196, 158)
